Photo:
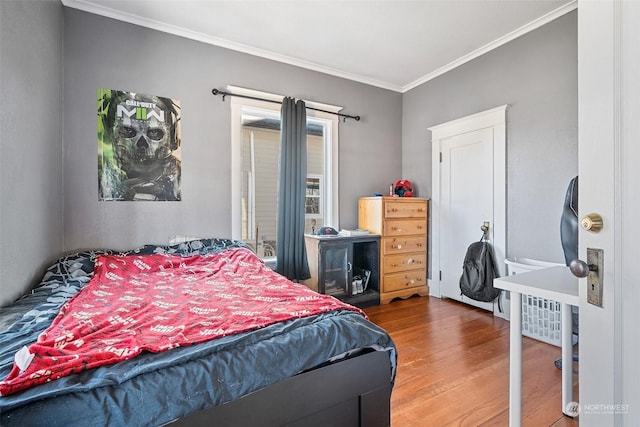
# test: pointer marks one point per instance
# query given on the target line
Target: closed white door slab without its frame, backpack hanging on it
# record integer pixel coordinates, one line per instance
(466, 185)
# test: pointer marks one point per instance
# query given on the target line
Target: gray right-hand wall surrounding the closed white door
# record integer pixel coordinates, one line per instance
(537, 76)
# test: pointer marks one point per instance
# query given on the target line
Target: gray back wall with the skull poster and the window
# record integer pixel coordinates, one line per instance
(100, 52)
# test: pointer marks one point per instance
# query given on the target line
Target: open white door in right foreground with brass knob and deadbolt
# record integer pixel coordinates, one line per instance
(609, 154)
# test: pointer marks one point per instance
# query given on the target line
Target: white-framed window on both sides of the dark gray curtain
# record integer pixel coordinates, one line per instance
(255, 136)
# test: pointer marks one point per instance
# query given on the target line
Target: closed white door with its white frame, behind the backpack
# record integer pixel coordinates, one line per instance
(469, 189)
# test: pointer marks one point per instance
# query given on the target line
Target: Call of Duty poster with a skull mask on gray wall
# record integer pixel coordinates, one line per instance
(139, 155)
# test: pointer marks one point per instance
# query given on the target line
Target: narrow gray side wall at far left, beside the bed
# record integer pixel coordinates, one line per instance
(31, 233)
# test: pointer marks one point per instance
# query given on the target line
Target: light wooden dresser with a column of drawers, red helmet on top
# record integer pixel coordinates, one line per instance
(402, 223)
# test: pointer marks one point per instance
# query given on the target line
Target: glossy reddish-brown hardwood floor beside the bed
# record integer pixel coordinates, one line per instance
(453, 367)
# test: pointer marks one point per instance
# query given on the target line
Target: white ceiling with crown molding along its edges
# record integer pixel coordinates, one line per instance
(393, 44)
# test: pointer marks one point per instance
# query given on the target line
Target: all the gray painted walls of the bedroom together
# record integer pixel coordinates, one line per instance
(45, 211)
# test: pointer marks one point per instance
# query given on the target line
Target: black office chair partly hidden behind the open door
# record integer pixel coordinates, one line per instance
(569, 238)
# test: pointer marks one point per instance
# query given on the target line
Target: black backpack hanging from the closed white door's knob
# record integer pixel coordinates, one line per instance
(478, 271)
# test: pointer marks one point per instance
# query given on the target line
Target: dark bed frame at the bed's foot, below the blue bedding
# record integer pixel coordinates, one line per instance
(352, 392)
